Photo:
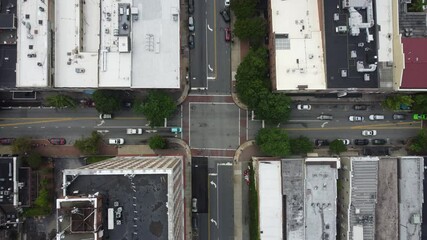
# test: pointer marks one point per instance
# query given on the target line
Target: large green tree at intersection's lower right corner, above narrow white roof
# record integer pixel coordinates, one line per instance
(273, 142)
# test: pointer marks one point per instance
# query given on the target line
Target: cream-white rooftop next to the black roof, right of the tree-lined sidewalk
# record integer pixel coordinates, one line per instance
(298, 44)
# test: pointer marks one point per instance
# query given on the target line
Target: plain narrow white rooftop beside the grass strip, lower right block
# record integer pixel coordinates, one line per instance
(270, 200)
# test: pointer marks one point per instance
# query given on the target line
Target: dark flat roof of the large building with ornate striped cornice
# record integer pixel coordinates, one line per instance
(143, 198)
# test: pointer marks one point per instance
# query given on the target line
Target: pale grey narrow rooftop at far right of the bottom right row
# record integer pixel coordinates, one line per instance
(411, 197)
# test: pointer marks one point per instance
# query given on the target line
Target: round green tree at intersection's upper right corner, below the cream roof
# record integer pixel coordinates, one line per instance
(273, 107)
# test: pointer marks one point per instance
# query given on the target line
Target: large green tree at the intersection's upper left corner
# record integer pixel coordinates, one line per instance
(157, 107)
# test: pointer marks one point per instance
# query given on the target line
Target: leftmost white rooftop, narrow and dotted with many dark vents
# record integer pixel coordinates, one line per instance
(32, 50)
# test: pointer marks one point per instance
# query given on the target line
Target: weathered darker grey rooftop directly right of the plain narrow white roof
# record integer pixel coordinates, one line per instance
(293, 193)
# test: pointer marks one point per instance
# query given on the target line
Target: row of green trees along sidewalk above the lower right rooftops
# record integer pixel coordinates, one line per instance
(275, 142)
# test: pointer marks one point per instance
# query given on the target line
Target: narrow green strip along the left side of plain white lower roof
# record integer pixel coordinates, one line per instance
(253, 206)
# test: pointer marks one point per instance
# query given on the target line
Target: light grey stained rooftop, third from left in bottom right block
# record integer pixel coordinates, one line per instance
(320, 198)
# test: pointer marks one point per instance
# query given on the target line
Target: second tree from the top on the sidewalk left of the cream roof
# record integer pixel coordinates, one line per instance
(251, 29)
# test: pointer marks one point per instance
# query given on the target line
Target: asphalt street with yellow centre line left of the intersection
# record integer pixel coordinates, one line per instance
(74, 124)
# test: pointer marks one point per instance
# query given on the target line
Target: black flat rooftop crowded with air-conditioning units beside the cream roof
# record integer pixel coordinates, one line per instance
(350, 40)
